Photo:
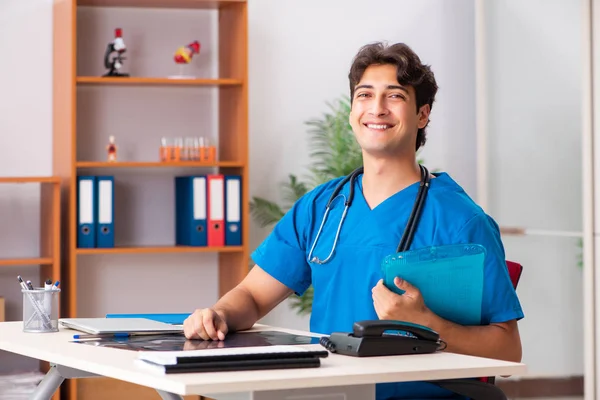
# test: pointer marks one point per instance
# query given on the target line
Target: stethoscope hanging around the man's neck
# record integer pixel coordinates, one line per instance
(409, 230)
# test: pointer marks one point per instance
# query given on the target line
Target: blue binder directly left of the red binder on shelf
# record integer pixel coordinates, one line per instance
(190, 211)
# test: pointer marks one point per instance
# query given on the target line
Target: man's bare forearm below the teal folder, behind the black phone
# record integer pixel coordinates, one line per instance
(491, 341)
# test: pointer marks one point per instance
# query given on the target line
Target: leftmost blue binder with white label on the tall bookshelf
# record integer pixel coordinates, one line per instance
(86, 226)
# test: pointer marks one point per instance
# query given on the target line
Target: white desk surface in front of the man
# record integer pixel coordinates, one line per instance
(335, 370)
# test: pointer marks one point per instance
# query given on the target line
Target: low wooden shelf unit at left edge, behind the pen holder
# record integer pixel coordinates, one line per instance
(49, 257)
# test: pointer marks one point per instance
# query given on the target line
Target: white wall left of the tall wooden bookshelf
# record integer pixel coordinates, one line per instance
(26, 143)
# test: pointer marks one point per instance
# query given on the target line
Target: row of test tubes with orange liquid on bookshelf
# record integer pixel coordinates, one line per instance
(191, 149)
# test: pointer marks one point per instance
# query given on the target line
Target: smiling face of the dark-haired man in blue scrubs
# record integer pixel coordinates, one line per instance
(384, 113)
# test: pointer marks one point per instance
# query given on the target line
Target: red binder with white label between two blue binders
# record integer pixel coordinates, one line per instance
(216, 210)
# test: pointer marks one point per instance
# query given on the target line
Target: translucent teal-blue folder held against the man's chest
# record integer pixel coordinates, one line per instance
(449, 277)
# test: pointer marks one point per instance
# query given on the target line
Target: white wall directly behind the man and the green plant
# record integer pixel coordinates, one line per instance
(296, 66)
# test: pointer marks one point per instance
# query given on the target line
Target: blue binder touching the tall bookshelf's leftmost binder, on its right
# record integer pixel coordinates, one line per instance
(105, 232)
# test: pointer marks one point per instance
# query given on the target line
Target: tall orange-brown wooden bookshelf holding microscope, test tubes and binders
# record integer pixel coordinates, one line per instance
(85, 113)
